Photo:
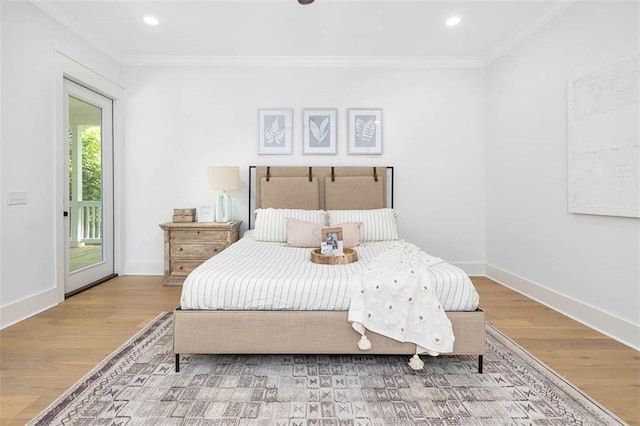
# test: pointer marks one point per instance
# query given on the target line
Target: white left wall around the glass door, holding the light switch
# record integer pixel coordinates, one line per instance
(30, 79)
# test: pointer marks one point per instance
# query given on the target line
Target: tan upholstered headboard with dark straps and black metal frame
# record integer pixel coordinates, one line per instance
(328, 188)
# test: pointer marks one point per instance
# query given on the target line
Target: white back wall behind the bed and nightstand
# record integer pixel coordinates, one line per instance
(182, 119)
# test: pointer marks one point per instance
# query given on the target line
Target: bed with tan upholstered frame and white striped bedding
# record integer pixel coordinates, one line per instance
(246, 310)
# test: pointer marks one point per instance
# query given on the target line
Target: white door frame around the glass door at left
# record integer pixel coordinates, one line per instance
(70, 69)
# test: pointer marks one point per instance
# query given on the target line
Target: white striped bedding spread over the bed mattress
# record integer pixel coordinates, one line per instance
(256, 275)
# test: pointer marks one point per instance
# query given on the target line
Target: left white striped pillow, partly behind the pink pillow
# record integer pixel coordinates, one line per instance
(271, 225)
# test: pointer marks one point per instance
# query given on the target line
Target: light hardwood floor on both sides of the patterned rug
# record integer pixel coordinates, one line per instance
(42, 356)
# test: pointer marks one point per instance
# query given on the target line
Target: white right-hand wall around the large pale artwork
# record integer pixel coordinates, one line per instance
(586, 266)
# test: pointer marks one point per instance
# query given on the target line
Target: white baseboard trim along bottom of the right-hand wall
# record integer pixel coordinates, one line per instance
(617, 328)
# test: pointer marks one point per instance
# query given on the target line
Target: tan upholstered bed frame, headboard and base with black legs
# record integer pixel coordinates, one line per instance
(309, 332)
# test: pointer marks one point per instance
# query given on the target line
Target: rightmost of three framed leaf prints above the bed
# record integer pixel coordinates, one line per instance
(365, 131)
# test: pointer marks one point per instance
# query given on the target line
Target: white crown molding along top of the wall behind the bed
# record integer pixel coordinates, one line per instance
(306, 61)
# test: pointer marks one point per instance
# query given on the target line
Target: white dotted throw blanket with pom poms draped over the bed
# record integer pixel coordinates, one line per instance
(394, 297)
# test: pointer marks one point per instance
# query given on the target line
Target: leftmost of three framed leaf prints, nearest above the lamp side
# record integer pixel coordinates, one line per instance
(275, 131)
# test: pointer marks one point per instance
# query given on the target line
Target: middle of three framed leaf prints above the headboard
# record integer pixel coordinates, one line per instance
(319, 131)
